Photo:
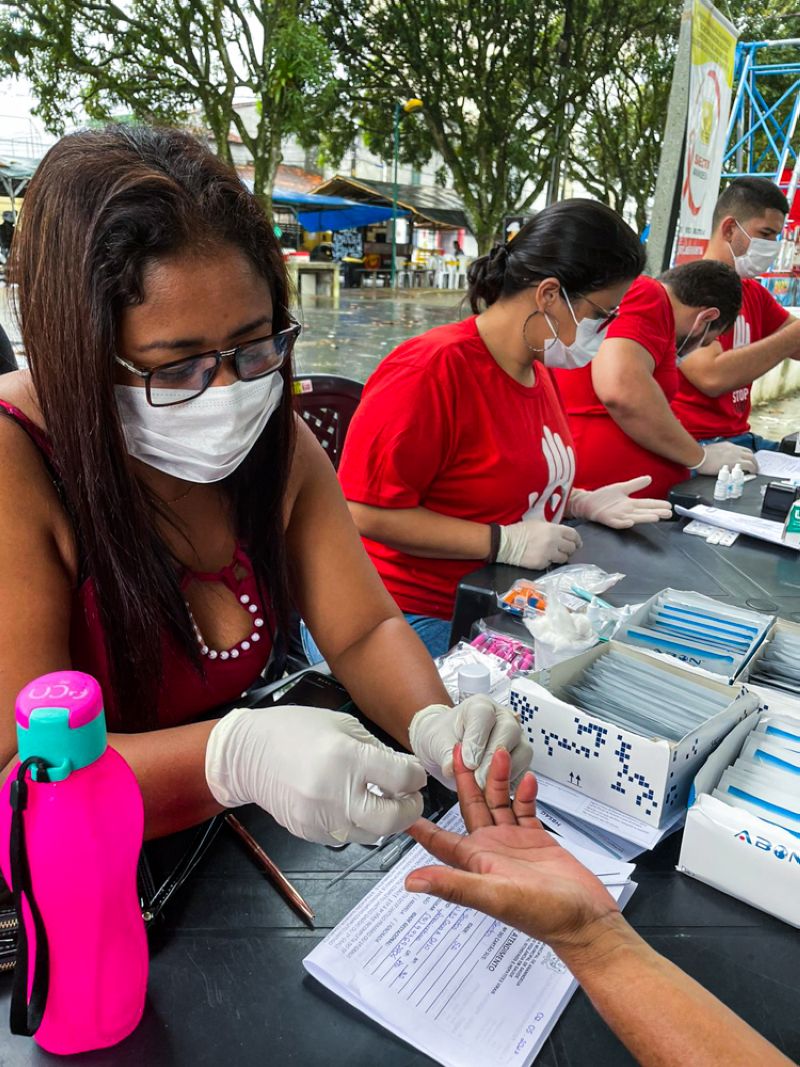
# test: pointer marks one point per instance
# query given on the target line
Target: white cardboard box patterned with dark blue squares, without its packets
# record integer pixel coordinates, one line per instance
(646, 777)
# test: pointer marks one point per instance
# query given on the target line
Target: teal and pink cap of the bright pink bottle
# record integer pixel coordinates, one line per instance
(61, 720)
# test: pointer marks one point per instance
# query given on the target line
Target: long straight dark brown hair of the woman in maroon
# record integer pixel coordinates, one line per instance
(102, 206)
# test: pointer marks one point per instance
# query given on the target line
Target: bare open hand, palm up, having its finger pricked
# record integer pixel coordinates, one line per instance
(508, 866)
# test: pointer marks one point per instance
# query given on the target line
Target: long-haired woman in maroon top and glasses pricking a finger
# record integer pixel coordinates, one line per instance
(165, 509)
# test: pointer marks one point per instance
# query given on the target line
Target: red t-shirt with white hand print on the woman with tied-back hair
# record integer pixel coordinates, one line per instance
(442, 426)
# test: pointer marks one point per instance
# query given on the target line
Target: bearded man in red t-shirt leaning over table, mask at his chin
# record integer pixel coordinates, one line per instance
(619, 405)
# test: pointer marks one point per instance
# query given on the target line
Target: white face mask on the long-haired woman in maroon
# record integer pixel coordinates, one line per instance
(205, 439)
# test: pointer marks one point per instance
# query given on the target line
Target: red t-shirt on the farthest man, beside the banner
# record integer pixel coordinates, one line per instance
(729, 415)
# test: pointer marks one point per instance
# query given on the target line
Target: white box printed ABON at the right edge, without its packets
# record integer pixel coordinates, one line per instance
(734, 851)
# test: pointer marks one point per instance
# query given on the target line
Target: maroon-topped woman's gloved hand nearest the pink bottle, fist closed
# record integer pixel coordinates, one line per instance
(310, 769)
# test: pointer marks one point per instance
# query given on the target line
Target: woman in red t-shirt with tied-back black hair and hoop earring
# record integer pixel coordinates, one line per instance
(460, 452)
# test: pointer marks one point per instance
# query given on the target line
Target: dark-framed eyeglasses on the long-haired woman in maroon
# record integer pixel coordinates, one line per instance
(188, 379)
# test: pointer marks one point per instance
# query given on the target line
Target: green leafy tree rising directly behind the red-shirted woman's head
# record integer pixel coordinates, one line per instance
(495, 78)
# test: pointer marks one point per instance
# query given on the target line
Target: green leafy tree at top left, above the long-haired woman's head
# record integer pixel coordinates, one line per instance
(167, 60)
